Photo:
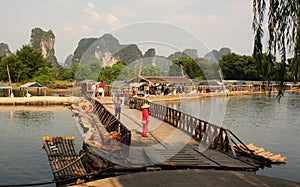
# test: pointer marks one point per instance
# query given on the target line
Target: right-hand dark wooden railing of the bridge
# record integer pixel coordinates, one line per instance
(214, 136)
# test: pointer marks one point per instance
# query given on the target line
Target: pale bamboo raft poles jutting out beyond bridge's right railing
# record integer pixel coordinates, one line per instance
(259, 151)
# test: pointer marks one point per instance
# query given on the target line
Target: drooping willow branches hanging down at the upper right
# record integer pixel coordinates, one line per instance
(283, 33)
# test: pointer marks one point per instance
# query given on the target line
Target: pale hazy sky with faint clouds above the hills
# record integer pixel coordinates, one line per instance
(201, 24)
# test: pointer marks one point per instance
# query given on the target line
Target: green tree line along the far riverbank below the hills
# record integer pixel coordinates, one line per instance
(27, 64)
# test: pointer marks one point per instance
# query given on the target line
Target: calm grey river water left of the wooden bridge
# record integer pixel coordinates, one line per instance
(22, 159)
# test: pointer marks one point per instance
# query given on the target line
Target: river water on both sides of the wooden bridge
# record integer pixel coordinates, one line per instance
(257, 119)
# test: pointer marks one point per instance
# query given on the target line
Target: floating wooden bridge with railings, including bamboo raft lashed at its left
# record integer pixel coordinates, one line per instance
(176, 141)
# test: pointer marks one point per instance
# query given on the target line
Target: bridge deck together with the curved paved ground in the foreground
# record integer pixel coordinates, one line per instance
(191, 167)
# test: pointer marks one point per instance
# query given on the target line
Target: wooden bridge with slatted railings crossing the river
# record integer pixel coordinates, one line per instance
(175, 141)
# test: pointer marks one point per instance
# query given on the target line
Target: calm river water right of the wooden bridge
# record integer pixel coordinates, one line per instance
(258, 119)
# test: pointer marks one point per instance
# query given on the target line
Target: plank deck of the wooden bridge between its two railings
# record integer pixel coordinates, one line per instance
(168, 147)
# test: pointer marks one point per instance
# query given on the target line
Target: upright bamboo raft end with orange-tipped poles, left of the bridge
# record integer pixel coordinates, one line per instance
(66, 165)
